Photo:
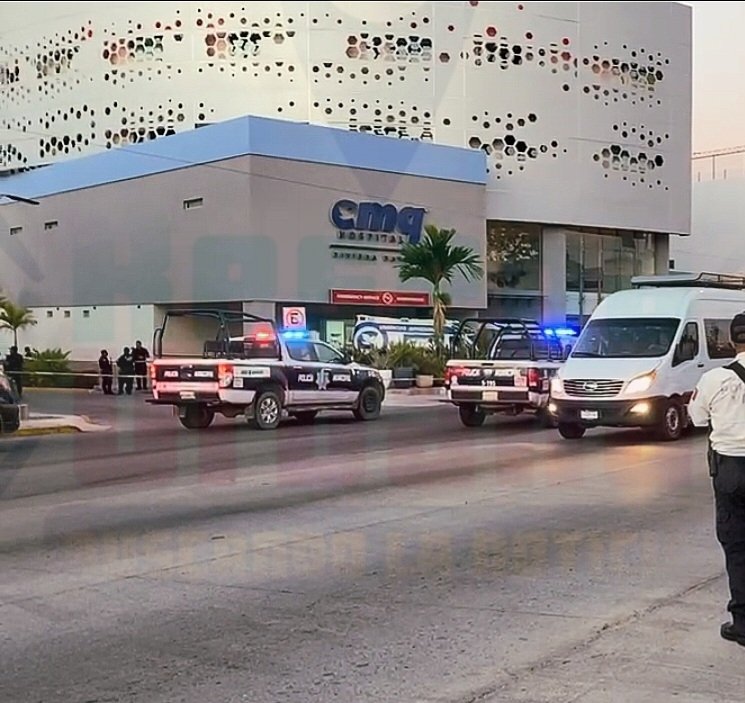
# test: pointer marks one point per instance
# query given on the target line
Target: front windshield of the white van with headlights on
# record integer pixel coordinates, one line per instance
(632, 337)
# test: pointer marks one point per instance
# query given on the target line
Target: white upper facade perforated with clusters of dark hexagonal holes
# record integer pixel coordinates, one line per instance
(583, 109)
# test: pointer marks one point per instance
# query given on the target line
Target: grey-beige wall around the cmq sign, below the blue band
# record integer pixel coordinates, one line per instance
(262, 233)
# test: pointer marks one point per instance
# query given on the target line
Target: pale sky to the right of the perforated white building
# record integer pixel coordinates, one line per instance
(718, 80)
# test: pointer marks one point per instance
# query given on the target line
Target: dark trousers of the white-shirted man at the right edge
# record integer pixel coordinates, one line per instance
(728, 475)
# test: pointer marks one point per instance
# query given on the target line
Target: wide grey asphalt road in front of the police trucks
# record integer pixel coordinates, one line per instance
(404, 560)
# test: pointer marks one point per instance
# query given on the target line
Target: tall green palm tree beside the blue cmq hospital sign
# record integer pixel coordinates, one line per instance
(436, 260)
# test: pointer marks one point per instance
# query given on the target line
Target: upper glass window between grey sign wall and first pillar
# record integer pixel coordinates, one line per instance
(513, 256)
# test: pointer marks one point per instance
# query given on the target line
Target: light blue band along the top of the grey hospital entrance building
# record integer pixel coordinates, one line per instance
(254, 136)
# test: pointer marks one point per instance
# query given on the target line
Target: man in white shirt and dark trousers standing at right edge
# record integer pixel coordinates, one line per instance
(719, 401)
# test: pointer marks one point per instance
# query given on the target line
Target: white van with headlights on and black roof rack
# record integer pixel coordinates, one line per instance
(643, 351)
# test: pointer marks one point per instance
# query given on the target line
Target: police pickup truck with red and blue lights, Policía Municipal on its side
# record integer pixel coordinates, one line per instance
(248, 369)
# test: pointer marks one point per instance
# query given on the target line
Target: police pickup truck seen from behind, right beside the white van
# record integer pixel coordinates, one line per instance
(503, 365)
